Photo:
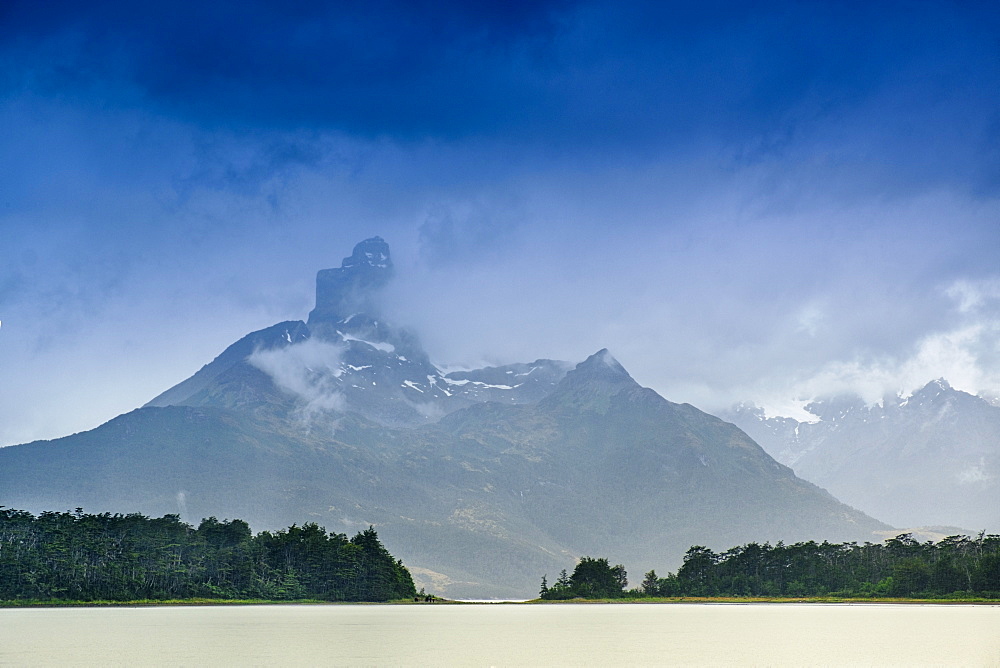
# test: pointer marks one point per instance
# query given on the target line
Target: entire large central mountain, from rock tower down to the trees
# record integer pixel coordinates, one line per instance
(481, 480)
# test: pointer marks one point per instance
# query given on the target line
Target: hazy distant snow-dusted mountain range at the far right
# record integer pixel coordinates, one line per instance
(929, 458)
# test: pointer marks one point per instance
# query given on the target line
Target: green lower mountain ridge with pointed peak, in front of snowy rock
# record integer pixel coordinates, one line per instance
(480, 503)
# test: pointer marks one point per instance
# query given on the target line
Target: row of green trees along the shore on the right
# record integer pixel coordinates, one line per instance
(957, 566)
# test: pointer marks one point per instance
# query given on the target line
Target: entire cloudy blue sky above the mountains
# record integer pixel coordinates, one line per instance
(764, 201)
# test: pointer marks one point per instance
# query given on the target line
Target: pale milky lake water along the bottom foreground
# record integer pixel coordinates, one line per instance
(505, 635)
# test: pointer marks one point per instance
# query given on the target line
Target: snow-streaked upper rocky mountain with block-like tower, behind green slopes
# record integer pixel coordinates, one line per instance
(347, 359)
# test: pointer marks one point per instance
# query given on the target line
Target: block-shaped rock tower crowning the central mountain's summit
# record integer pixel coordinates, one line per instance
(352, 288)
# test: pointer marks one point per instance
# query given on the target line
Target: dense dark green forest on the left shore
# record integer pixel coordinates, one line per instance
(123, 557)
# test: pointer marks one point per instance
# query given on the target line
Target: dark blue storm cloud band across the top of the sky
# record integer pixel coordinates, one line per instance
(757, 77)
